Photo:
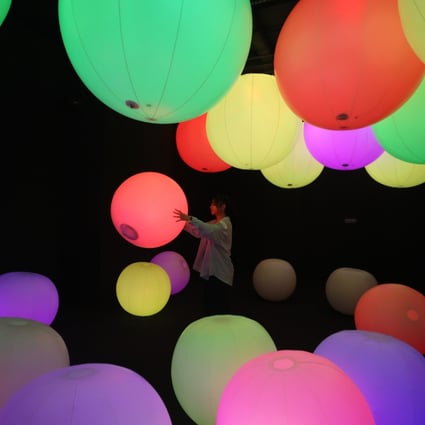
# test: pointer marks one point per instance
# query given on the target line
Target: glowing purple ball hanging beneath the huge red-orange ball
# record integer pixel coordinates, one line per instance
(342, 149)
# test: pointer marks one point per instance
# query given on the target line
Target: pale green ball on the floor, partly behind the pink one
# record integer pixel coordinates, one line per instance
(207, 354)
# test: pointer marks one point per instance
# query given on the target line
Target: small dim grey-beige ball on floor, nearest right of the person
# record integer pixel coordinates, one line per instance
(274, 279)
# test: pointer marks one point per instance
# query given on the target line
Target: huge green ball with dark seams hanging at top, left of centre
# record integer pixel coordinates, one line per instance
(157, 61)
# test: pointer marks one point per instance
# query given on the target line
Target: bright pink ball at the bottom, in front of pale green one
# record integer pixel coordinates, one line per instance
(292, 387)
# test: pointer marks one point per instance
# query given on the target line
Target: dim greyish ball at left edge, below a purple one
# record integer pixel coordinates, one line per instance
(28, 349)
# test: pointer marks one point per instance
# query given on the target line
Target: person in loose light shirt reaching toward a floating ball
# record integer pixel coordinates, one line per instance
(213, 258)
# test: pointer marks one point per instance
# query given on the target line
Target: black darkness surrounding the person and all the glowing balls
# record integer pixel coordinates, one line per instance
(64, 154)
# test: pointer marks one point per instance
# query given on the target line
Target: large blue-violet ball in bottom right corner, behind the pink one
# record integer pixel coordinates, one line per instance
(389, 372)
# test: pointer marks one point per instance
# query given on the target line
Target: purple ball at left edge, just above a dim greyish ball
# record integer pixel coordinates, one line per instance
(28, 295)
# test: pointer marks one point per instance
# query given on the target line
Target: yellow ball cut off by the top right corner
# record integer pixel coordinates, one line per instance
(412, 14)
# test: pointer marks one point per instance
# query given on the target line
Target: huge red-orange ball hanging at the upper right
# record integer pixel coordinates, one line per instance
(345, 65)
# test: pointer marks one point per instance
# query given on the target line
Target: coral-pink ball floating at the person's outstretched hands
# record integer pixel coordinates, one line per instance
(142, 209)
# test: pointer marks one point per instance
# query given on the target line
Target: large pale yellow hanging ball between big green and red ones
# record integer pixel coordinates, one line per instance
(252, 127)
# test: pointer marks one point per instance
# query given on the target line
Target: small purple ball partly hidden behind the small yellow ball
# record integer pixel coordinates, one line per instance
(177, 268)
